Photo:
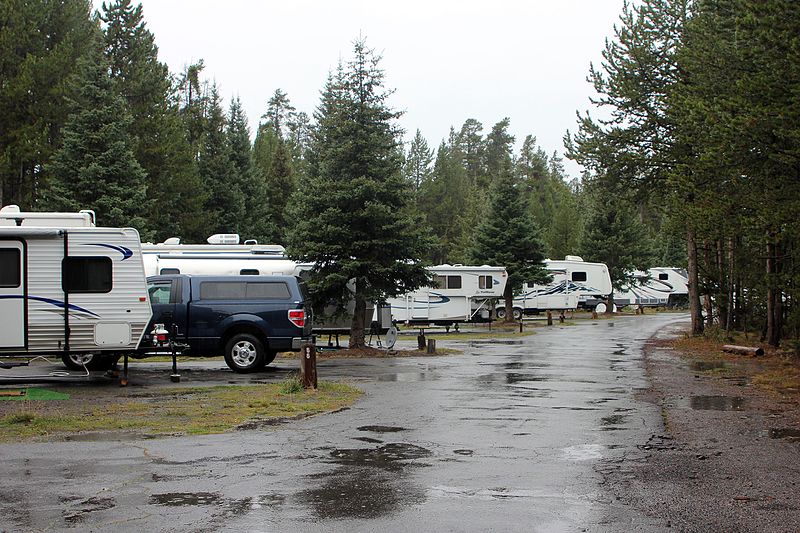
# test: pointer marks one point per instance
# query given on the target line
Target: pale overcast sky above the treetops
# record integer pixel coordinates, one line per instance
(447, 60)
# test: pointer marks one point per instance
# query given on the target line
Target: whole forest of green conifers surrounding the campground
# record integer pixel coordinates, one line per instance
(695, 162)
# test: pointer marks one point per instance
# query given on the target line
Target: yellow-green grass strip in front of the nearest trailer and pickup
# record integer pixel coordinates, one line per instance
(193, 411)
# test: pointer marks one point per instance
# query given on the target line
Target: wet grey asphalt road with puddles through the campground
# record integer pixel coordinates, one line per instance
(509, 436)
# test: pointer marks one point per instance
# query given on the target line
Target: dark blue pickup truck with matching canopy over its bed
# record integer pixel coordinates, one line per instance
(247, 319)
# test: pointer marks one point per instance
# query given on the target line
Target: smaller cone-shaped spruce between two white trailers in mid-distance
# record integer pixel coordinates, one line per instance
(510, 238)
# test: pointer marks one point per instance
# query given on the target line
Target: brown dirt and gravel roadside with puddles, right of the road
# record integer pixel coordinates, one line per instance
(727, 456)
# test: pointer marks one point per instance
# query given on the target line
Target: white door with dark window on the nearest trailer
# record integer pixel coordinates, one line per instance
(12, 294)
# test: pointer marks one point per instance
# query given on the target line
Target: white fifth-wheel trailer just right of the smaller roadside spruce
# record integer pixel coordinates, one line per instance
(576, 283)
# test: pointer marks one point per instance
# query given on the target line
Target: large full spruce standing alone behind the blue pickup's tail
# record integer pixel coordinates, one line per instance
(354, 218)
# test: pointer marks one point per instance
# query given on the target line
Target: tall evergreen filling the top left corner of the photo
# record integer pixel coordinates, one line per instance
(40, 45)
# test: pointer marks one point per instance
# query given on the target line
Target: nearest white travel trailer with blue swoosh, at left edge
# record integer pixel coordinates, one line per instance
(69, 288)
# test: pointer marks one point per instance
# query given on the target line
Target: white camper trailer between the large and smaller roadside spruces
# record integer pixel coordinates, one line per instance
(460, 294)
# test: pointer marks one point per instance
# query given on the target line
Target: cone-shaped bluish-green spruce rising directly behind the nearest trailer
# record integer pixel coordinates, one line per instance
(96, 168)
